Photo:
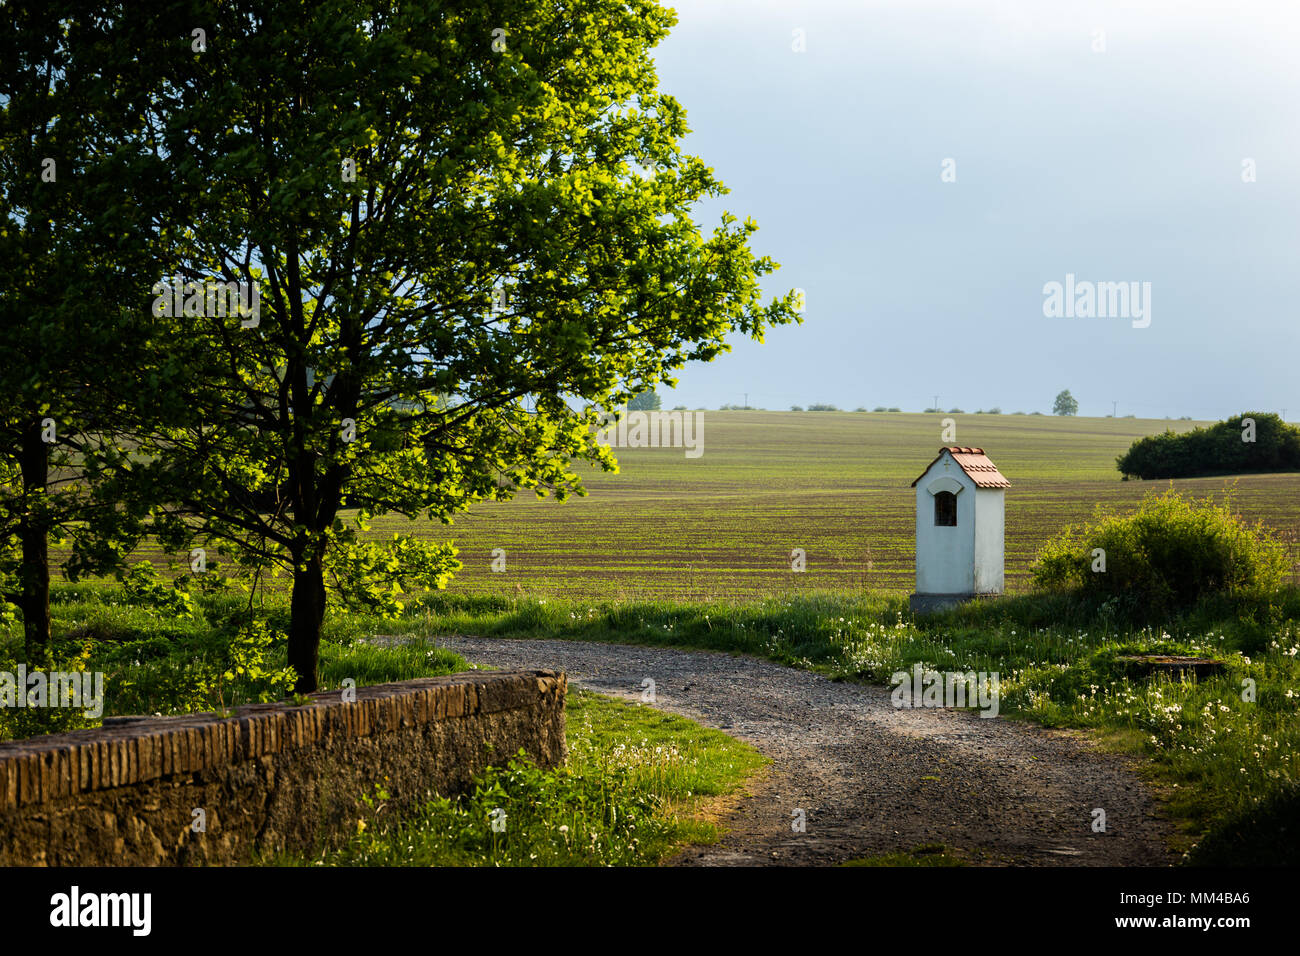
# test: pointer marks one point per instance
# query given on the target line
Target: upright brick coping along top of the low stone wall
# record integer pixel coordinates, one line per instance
(128, 751)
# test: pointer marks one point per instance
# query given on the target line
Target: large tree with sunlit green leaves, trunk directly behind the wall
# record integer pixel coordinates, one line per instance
(470, 232)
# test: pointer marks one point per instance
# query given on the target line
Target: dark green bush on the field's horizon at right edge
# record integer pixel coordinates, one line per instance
(1216, 451)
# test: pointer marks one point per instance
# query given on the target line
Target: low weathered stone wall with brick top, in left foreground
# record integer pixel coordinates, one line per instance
(271, 777)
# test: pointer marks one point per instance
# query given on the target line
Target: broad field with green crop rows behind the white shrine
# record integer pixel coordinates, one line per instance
(835, 485)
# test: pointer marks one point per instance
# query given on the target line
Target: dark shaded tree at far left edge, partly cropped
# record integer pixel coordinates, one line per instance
(77, 244)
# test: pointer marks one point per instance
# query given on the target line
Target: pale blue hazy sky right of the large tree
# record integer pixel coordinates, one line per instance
(1123, 166)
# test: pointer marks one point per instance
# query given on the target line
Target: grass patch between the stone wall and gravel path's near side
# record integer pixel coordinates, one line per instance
(639, 784)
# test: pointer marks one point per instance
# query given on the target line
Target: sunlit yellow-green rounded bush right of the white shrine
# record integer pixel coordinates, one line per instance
(1168, 553)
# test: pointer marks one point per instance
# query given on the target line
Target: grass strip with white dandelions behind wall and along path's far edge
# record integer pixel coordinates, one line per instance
(1229, 765)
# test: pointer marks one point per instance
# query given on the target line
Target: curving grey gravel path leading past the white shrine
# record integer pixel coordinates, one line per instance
(869, 777)
